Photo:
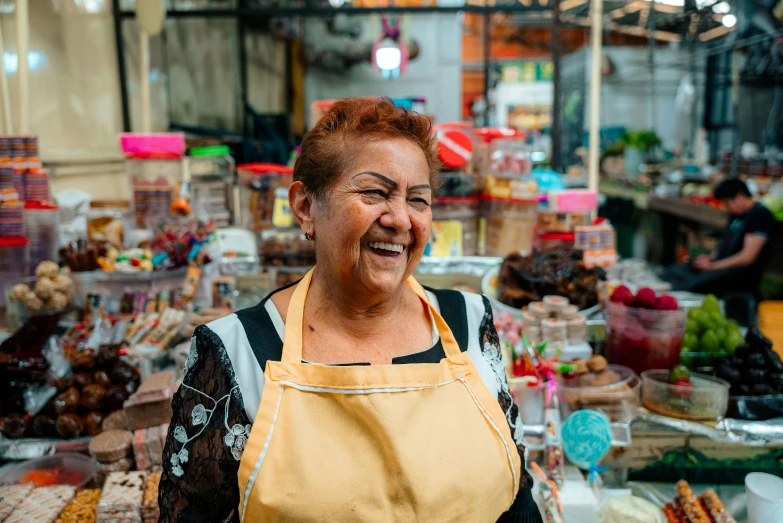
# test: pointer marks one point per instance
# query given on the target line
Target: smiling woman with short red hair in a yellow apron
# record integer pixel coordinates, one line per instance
(355, 394)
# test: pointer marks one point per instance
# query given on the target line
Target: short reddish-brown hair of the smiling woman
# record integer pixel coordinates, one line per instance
(327, 150)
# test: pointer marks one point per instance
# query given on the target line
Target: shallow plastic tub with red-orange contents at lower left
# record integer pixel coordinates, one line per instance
(79, 469)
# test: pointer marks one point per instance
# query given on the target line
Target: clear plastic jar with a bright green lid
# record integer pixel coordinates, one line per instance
(211, 180)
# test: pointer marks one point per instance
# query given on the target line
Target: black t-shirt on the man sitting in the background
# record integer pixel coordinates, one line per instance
(758, 221)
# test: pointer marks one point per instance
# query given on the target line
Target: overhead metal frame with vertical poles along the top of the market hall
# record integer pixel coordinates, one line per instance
(642, 18)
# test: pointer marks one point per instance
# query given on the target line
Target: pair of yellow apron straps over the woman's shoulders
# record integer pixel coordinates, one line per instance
(292, 342)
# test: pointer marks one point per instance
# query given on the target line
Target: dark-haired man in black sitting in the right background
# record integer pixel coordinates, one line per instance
(745, 248)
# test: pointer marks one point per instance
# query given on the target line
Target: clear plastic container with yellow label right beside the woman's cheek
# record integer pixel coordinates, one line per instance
(454, 227)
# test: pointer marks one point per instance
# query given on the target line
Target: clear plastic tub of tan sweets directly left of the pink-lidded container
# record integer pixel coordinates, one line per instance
(510, 225)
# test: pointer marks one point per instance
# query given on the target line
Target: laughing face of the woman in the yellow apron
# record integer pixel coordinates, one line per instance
(374, 222)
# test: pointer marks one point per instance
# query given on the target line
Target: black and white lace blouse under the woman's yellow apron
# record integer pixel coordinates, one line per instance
(215, 406)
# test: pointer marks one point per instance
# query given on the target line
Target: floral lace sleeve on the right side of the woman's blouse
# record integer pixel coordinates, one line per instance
(524, 509)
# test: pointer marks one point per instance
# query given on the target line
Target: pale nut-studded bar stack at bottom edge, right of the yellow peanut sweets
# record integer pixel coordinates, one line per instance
(121, 498)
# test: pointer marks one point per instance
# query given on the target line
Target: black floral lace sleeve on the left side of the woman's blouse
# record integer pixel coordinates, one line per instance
(206, 438)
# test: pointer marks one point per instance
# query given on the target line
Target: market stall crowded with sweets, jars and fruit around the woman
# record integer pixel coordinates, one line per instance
(100, 324)
